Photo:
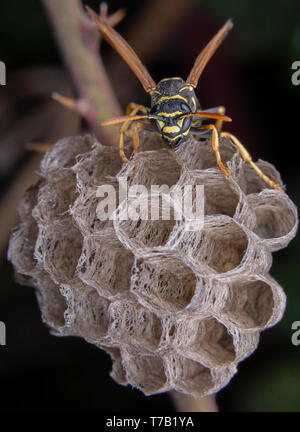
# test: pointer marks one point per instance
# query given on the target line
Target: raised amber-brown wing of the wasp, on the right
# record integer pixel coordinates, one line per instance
(207, 53)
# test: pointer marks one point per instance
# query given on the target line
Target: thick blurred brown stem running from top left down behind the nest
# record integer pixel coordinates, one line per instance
(79, 38)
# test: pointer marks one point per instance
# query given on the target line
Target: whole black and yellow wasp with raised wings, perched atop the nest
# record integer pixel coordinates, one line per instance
(175, 110)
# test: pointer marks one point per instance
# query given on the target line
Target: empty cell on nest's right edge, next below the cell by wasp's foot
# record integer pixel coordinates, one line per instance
(251, 304)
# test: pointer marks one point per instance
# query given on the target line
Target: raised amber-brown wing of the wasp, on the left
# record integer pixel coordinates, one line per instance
(123, 49)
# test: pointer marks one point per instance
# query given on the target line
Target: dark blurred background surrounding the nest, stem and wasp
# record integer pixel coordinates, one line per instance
(251, 76)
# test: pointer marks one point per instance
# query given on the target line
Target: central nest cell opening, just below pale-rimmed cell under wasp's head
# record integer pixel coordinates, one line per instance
(164, 283)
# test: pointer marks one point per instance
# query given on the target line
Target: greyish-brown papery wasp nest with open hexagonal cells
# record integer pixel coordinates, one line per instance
(174, 308)
